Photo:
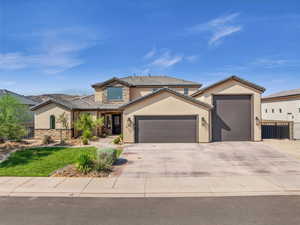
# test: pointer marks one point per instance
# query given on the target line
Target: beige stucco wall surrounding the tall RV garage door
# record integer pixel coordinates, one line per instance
(236, 88)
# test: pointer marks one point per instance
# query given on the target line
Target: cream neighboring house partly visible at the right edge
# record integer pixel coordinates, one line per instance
(283, 106)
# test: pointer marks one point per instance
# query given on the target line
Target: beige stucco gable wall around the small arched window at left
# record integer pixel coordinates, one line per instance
(42, 116)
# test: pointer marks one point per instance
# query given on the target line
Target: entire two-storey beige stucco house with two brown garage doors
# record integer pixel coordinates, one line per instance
(155, 109)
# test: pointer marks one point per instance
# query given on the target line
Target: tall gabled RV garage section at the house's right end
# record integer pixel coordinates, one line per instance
(236, 113)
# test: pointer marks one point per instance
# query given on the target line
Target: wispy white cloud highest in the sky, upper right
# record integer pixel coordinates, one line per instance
(219, 28)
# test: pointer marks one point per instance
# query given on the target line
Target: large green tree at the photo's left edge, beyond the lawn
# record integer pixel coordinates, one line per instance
(13, 115)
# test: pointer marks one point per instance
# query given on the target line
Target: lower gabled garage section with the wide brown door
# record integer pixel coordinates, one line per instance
(166, 116)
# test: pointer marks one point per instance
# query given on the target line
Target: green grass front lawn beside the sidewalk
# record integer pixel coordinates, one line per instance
(41, 162)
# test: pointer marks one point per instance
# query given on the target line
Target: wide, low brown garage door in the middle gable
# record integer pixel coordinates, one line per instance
(165, 129)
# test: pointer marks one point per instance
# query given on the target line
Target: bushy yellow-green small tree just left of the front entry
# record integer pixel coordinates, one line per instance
(86, 124)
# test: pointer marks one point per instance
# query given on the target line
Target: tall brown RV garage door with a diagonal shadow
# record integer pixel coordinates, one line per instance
(232, 118)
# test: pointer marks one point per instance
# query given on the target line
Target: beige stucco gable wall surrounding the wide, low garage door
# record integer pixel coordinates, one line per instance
(166, 104)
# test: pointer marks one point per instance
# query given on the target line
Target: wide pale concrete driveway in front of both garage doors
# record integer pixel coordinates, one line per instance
(207, 160)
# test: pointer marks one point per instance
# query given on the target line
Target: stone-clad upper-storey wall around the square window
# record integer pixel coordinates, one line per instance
(101, 94)
